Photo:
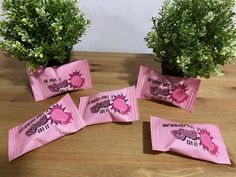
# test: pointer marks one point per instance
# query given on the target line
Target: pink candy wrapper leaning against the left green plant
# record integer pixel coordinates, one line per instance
(50, 81)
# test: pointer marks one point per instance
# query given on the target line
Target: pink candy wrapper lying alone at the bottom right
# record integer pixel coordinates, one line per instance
(201, 141)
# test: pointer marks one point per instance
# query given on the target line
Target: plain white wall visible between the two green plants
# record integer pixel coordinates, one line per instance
(118, 26)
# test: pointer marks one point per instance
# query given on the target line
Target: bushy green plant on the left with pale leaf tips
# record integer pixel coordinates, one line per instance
(41, 32)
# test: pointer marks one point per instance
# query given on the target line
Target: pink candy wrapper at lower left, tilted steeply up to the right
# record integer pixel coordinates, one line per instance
(60, 119)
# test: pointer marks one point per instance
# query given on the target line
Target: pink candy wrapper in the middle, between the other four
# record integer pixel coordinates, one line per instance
(113, 106)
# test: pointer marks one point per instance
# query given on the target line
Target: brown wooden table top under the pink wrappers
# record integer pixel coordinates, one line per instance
(114, 149)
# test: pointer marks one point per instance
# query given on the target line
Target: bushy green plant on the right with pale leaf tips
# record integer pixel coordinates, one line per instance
(193, 37)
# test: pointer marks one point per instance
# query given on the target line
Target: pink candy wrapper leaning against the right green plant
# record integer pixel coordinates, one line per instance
(181, 92)
